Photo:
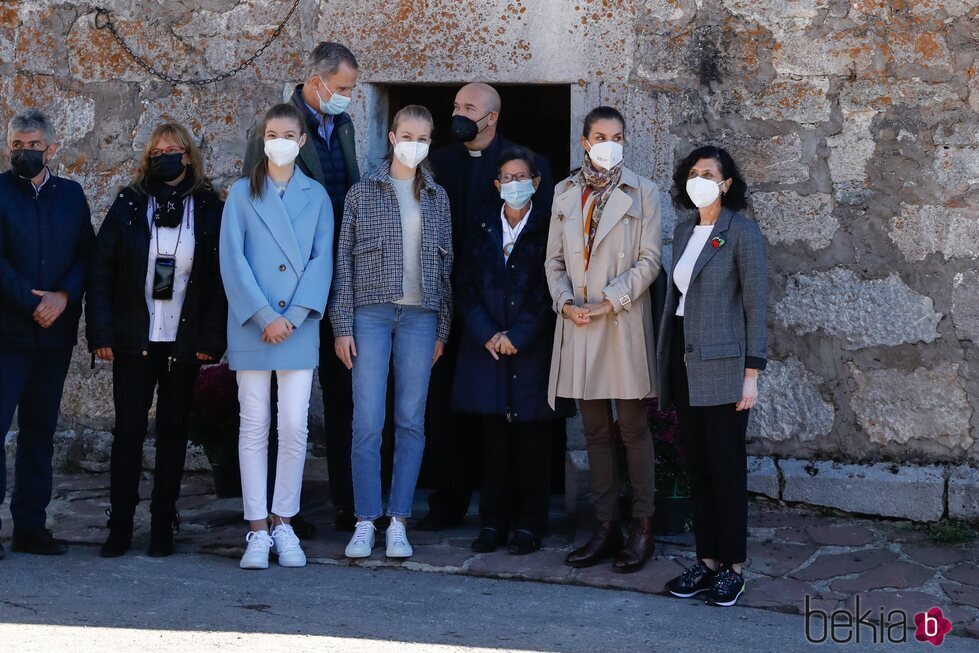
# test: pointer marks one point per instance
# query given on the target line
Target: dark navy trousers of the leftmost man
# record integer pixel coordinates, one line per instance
(31, 382)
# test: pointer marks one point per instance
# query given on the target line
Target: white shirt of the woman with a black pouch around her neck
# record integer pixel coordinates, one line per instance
(178, 242)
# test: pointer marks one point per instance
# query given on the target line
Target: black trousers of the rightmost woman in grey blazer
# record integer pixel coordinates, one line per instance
(713, 440)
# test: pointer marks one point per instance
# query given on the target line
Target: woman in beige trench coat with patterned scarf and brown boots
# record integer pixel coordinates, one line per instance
(603, 253)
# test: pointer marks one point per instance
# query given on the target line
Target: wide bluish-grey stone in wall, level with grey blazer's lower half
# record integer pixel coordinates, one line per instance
(861, 312)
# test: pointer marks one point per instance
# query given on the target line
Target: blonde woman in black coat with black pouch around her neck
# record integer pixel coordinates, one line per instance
(156, 310)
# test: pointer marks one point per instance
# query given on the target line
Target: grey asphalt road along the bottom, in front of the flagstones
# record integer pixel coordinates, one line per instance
(202, 603)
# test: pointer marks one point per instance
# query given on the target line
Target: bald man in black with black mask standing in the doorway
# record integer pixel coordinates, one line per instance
(466, 169)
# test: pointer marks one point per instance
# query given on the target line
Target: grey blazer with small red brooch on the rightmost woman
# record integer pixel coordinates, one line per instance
(724, 324)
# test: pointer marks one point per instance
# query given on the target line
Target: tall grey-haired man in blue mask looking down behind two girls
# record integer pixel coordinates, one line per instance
(330, 157)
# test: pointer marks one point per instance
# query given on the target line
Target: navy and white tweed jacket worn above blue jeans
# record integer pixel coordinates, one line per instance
(369, 263)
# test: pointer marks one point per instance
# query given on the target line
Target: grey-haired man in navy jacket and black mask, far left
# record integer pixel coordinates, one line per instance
(46, 237)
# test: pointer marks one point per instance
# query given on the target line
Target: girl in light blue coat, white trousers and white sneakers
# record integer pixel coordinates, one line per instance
(276, 263)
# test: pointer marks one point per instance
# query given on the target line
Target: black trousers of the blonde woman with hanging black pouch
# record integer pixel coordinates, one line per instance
(134, 378)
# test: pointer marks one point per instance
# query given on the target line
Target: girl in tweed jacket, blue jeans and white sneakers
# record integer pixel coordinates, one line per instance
(392, 295)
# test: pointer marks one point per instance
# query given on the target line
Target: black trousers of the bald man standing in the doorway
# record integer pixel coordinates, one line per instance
(453, 457)
